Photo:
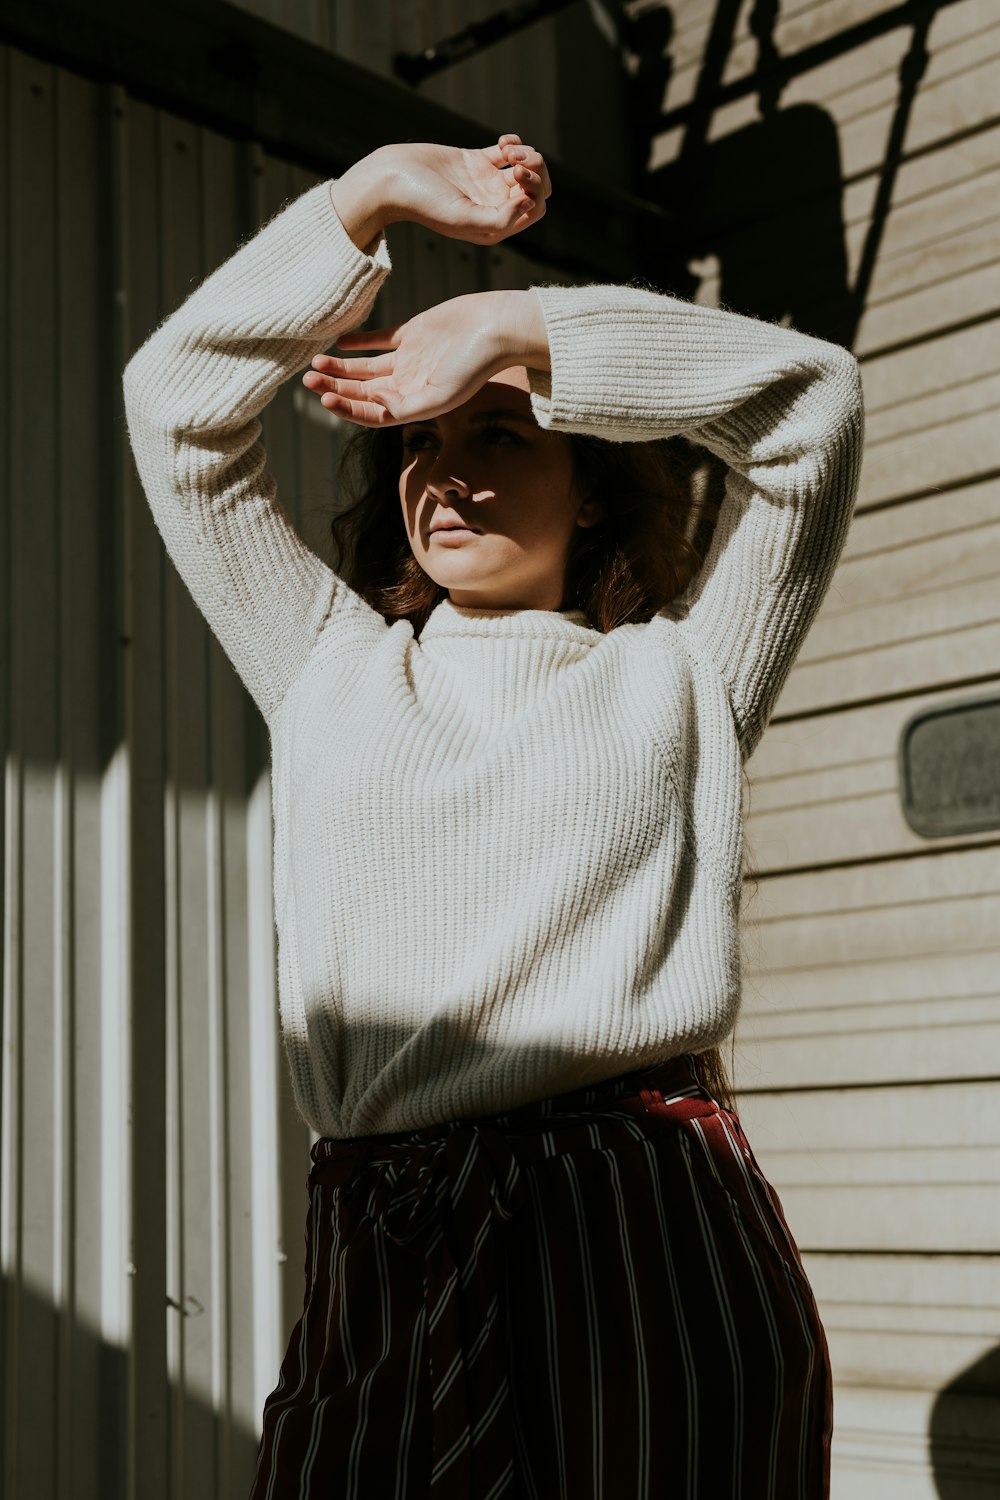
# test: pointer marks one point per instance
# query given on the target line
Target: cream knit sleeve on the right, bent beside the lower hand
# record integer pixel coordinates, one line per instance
(782, 410)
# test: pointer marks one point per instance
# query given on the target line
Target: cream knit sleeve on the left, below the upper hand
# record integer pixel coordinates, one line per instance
(193, 398)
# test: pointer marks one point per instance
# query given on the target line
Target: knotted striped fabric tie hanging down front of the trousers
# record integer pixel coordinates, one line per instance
(448, 1198)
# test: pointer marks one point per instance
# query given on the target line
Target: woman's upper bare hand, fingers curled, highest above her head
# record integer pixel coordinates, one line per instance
(481, 196)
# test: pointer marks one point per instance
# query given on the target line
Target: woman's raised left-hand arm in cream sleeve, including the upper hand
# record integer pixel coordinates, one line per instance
(194, 392)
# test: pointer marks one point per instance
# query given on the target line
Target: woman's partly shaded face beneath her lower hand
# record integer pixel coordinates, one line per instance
(490, 500)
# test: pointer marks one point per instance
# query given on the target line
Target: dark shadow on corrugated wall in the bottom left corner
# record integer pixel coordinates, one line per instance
(65, 1400)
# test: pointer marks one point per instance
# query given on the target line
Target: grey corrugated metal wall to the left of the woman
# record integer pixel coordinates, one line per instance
(152, 1166)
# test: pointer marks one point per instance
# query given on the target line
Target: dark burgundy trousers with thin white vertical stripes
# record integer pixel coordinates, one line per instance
(590, 1297)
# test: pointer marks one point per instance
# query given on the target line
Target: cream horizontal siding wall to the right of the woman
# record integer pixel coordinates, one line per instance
(869, 1057)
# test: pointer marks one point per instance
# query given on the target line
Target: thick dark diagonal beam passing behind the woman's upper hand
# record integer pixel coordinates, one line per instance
(227, 70)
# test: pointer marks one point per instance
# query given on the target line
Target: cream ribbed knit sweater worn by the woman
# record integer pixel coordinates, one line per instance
(507, 856)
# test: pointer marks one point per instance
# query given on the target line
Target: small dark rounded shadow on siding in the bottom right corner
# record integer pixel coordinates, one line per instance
(966, 1430)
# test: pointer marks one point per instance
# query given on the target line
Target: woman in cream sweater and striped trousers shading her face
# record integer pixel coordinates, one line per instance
(540, 1258)
